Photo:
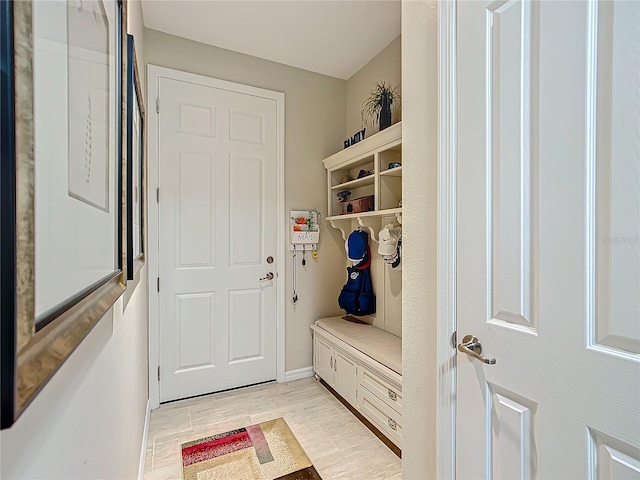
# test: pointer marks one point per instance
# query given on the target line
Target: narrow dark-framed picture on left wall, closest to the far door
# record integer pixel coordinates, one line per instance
(136, 165)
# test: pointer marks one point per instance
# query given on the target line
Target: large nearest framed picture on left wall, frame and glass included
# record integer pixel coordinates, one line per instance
(62, 257)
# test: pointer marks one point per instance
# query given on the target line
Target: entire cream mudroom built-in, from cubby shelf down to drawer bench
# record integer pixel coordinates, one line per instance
(361, 360)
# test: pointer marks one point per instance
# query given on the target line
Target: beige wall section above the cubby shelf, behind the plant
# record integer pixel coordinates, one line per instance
(386, 66)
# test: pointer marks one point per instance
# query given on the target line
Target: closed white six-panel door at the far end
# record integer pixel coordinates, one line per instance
(217, 227)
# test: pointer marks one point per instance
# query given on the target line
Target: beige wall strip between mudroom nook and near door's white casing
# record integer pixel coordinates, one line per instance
(419, 282)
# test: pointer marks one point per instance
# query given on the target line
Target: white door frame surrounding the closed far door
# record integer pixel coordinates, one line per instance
(154, 73)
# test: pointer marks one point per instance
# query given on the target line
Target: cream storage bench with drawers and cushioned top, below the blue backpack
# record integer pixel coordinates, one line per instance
(363, 364)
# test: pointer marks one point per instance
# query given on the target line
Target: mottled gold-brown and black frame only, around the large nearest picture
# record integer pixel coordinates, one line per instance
(31, 351)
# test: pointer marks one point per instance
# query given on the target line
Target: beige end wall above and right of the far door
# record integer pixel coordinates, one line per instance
(314, 129)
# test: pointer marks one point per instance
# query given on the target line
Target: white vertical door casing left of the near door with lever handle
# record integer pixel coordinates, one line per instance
(447, 177)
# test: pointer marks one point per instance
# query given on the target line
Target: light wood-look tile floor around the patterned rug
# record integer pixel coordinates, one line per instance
(339, 446)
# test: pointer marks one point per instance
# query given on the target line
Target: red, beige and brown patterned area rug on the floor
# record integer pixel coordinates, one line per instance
(266, 451)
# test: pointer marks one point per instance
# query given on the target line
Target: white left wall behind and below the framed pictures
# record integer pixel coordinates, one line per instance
(88, 421)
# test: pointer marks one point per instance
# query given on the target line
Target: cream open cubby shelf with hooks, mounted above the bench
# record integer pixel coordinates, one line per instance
(373, 154)
